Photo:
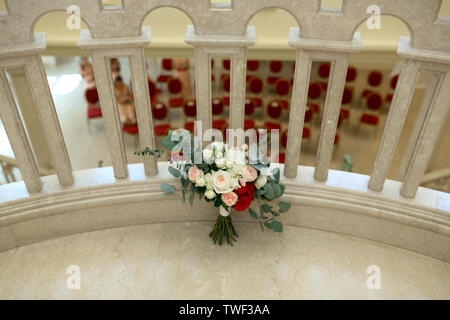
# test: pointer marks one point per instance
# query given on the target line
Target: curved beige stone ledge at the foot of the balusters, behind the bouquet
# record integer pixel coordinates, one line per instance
(341, 205)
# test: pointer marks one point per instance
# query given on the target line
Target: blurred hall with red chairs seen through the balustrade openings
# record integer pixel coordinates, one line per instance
(371, 81)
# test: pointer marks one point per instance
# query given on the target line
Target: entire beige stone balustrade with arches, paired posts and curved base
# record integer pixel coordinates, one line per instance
(328, 35)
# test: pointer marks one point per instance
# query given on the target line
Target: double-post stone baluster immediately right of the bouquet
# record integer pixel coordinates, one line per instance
(308, 50)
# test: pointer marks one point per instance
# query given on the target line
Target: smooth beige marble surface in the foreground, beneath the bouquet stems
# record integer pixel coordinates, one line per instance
(177, 261)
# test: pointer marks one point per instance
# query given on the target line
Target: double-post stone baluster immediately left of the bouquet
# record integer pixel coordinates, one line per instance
(101, 51)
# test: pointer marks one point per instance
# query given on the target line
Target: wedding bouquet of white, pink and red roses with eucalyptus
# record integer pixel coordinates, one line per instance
(224, 176)
